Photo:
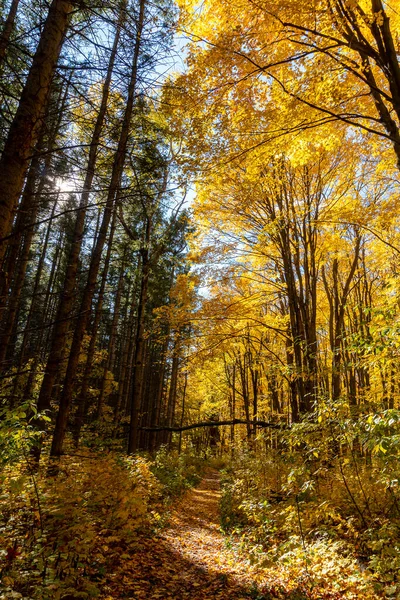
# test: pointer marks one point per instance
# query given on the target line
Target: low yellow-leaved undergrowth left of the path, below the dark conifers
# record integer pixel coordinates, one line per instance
(60, 536)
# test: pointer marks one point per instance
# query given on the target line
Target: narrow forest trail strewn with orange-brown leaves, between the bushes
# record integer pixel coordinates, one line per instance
(190, 558)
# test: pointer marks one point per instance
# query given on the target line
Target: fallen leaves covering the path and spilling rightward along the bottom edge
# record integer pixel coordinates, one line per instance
(191, 559)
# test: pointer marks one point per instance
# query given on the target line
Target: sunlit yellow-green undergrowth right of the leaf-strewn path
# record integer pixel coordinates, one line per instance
(330, 526)
